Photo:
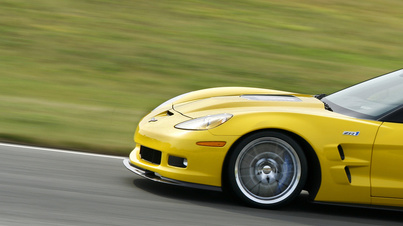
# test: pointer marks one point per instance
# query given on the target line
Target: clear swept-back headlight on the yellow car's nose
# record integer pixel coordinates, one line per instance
(204, 123)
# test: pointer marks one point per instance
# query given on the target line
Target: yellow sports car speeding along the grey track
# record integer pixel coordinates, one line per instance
(265, 146)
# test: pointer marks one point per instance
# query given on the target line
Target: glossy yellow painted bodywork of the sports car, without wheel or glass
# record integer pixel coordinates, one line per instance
(344, 157)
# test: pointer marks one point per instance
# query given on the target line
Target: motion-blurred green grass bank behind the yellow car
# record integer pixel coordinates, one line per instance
(79, 74)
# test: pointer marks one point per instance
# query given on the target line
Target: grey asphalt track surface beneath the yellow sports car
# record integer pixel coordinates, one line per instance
(49, 187)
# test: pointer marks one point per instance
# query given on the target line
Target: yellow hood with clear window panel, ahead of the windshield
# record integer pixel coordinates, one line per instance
(269, 100)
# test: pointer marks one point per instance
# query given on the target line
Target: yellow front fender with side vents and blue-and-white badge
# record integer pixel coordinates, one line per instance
(326, 135)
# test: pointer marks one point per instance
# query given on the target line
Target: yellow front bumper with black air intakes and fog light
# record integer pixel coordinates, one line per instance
(158, 142)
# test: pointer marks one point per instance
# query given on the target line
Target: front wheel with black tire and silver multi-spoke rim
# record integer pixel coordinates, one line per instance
(266, 170)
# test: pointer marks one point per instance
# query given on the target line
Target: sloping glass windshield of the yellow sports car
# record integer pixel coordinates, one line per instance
(370, 99)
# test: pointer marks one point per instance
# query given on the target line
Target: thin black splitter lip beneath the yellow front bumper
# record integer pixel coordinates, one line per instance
(158, 178)
